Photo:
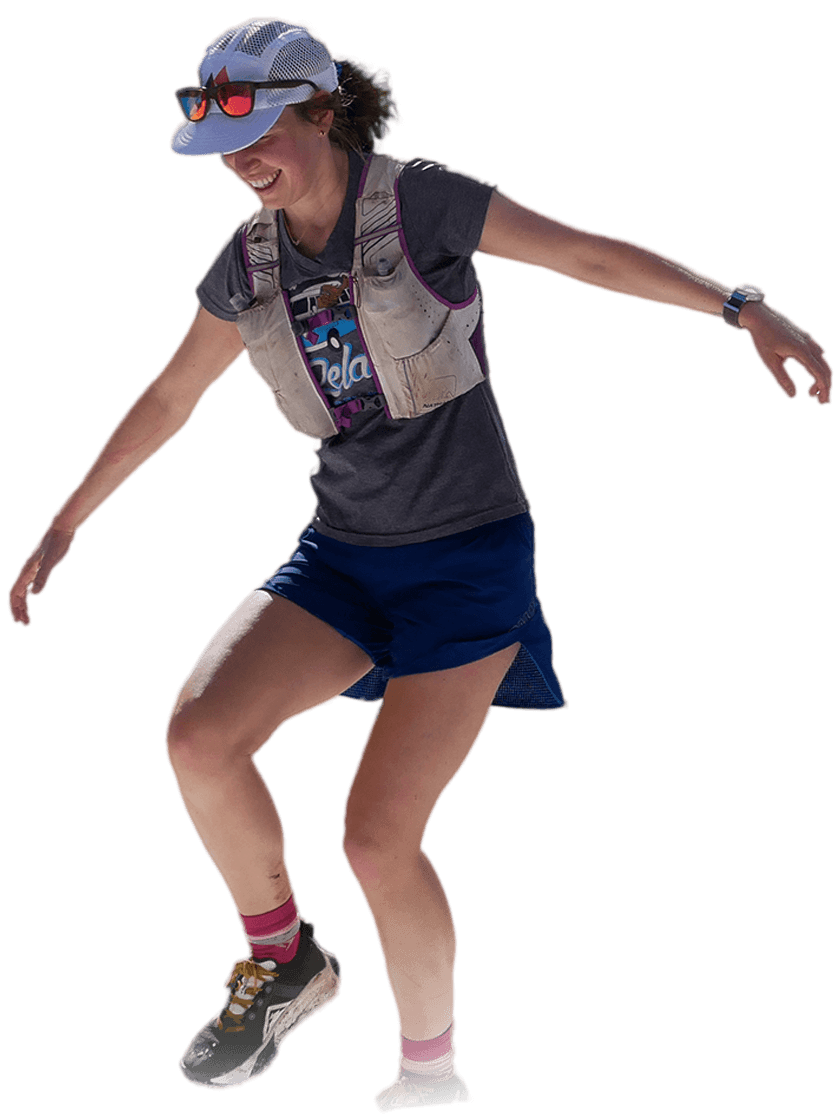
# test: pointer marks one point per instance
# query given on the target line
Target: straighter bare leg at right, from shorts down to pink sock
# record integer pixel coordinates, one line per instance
(423, 736)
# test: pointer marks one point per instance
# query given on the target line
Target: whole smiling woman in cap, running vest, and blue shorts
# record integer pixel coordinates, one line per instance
(417, 568)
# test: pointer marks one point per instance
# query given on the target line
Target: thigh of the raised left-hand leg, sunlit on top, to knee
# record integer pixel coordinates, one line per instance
(269, 663)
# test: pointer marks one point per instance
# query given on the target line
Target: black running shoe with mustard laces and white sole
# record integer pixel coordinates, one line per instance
(266, 1004)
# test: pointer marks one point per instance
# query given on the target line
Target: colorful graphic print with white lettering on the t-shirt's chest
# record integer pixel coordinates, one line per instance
(327, 319)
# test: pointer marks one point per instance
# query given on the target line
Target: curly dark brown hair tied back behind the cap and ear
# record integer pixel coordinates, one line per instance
(365, 107)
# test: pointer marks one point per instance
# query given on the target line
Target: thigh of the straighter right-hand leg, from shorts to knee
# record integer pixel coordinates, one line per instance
(421, 739)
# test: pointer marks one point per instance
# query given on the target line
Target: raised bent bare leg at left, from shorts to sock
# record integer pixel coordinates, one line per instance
(268, 664)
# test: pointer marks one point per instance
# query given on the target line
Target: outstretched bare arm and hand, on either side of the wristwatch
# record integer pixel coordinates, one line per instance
(516, 233)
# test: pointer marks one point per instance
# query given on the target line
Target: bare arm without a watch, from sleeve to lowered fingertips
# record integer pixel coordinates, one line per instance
(164, 408)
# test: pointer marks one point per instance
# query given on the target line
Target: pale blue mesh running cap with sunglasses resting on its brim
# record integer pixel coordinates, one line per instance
(264, 50)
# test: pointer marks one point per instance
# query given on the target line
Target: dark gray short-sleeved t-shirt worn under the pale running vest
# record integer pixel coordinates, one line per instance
(386, 482)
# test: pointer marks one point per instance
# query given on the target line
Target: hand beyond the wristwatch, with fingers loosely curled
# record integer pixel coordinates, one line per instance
(778, 340)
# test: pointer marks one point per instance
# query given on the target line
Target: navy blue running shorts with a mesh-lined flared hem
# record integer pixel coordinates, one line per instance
(427, 607)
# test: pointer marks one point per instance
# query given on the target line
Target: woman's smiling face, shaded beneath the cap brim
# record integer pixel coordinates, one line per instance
(285, 165)
